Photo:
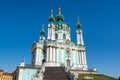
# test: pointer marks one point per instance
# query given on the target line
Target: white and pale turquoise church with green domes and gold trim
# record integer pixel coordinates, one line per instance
(54, 51)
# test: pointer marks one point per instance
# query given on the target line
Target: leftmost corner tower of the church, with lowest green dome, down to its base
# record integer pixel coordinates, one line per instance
(38, 49)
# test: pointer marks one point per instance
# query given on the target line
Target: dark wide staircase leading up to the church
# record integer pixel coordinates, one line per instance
(55, 73)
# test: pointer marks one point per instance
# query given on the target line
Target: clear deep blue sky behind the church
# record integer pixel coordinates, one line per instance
(21, 20)
